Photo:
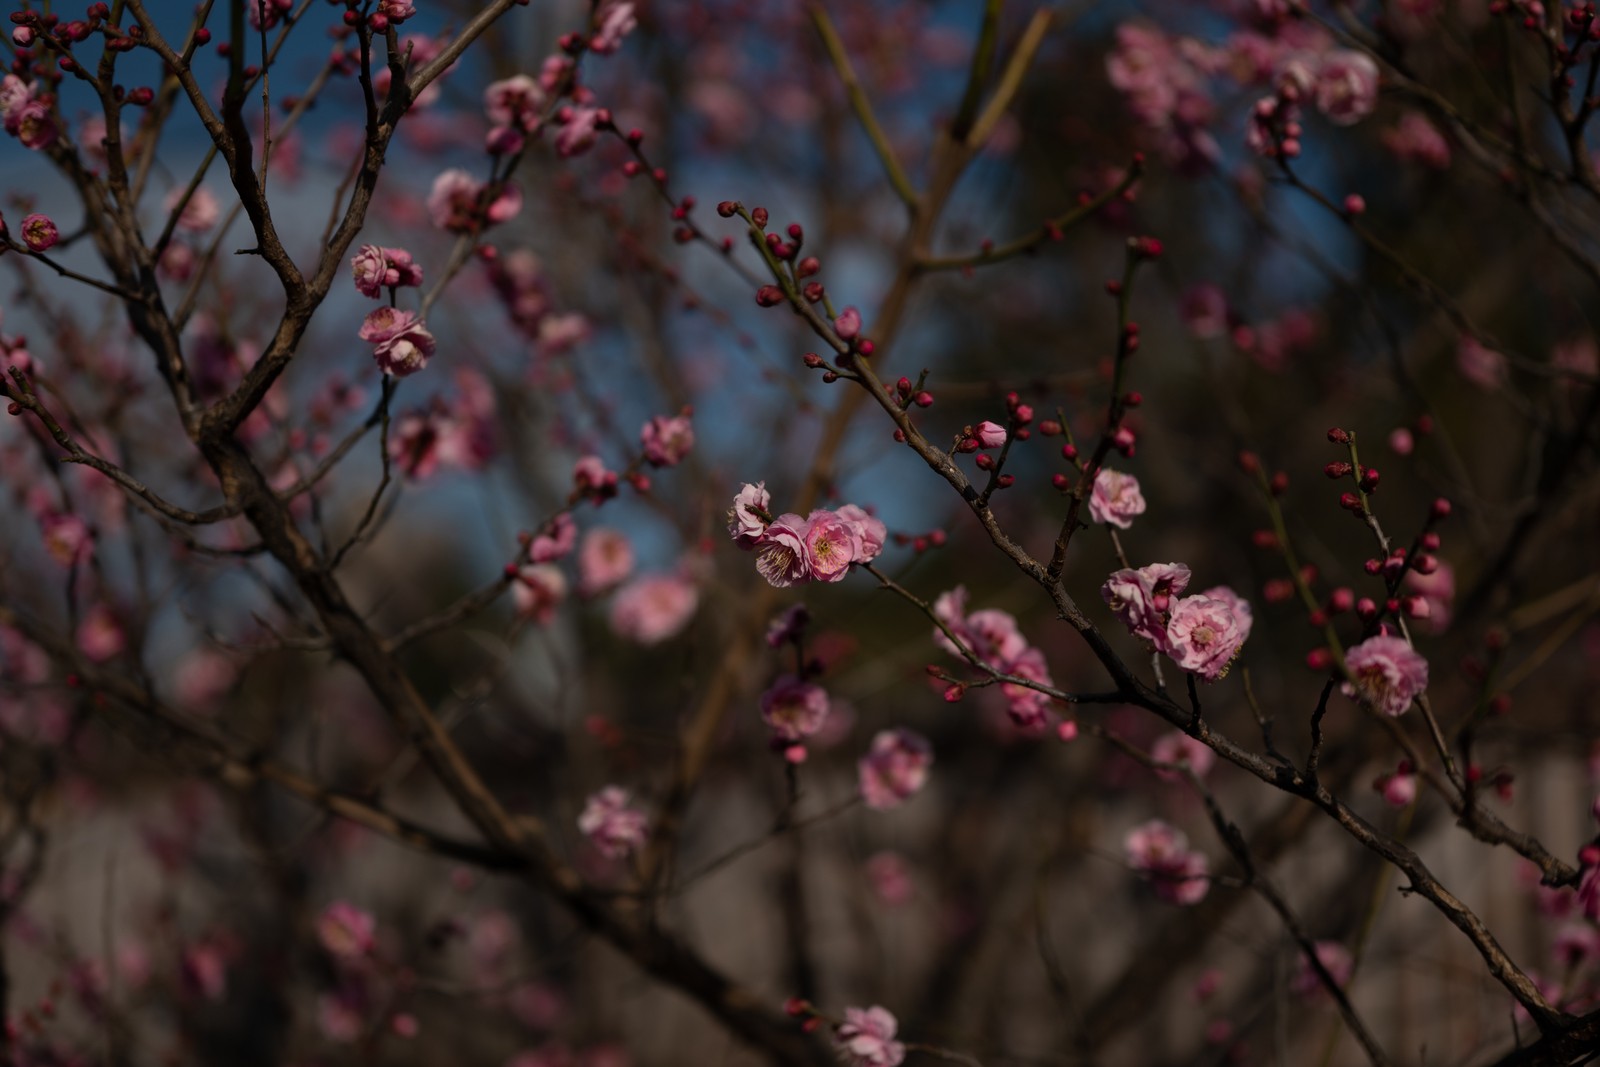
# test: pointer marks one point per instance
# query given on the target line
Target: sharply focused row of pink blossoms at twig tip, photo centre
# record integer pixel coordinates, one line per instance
(791, 551)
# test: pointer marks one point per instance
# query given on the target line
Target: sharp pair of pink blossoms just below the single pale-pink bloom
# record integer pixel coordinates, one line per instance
(1202, 634)
